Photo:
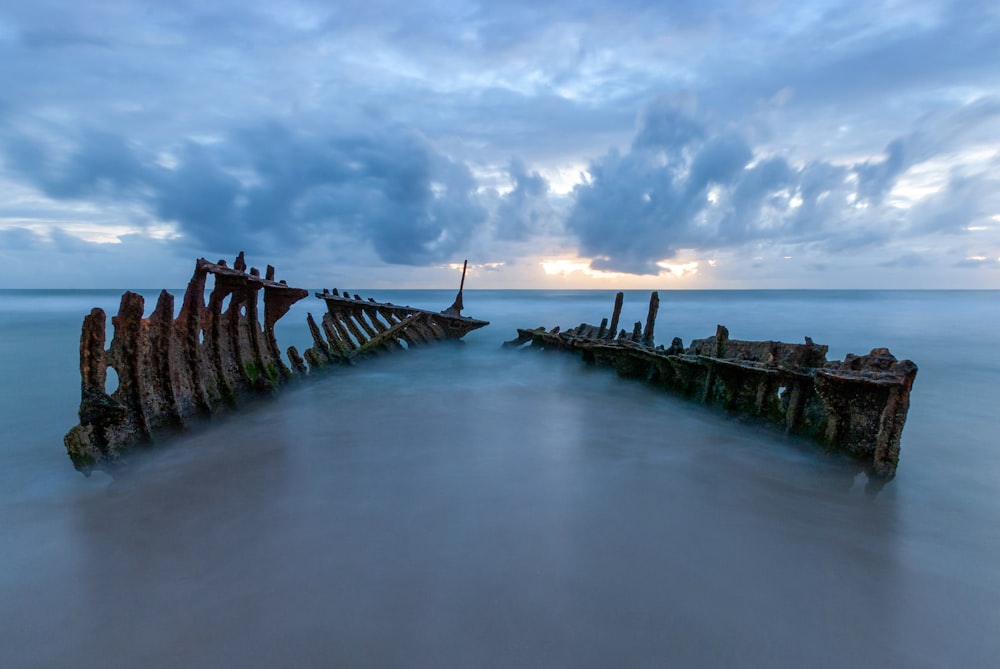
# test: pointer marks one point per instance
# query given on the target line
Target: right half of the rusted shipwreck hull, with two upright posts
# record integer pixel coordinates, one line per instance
(857, 405)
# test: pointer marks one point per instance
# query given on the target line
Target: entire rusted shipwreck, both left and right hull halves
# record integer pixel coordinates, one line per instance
(216, 354)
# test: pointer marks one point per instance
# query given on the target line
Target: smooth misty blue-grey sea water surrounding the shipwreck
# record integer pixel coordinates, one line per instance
(474, 507)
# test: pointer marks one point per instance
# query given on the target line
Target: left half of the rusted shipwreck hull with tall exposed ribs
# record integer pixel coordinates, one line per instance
(212, 356)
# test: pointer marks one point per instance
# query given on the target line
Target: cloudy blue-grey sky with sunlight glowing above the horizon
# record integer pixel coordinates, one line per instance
(593, 144)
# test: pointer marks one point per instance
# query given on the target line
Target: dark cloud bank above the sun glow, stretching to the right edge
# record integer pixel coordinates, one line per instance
(686, 185)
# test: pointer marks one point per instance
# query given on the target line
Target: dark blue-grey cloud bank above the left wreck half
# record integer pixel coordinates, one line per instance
(269, 186)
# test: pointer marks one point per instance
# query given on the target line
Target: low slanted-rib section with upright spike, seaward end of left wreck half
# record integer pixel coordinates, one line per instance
(356, 327)
